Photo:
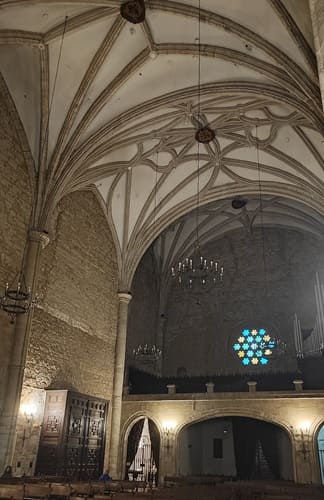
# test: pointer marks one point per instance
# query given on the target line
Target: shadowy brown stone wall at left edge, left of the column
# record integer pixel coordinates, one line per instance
(15, 206)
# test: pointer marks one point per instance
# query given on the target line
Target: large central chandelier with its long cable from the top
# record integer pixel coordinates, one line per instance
(197, 269)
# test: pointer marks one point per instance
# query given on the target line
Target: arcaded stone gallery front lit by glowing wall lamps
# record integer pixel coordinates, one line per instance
(299, 414)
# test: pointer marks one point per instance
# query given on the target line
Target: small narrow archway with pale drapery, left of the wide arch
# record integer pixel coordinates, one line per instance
(143, 451)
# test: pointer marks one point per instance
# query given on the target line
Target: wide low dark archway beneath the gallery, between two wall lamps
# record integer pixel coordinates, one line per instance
(237, 447)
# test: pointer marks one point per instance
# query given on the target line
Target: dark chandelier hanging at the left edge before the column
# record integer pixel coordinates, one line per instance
(17, 298)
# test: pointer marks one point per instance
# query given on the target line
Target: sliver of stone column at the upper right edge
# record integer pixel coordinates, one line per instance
(317, 15)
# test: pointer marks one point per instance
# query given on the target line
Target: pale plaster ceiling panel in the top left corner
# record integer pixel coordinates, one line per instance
(39, 16)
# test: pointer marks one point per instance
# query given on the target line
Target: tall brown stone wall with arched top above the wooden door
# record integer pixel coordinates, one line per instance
(74, 329)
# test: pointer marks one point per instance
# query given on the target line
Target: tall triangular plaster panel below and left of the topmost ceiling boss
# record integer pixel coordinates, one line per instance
(78, 49)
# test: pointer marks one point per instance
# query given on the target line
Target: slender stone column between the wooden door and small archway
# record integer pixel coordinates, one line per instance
(120, 352)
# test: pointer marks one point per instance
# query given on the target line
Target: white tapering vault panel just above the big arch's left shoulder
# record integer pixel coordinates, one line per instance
(143, 184)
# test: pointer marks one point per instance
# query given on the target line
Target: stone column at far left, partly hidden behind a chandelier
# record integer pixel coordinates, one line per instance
(15, 373)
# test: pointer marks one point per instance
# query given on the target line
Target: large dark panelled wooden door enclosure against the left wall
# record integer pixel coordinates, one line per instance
(74, 449)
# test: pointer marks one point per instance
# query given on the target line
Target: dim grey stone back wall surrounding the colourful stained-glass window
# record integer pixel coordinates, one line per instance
(202, 326)
